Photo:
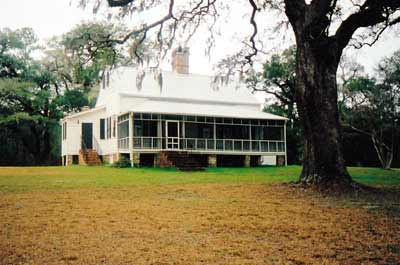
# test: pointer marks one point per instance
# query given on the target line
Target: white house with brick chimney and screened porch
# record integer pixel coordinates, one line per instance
(169, 118)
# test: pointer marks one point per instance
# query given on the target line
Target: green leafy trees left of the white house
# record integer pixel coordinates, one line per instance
(40, 84)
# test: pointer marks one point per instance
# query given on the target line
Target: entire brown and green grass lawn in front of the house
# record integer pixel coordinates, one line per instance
(101, 215)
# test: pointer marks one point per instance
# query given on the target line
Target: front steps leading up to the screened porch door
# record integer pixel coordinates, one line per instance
(183, 161)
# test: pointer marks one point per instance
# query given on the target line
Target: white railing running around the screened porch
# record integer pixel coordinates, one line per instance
(201, 144)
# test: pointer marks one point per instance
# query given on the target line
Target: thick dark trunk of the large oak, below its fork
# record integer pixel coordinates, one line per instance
(316, 96)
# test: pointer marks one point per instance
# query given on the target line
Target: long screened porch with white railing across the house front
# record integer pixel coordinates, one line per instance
(149, 132)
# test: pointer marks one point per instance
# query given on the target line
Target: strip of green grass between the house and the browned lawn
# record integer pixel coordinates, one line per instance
(52, 178)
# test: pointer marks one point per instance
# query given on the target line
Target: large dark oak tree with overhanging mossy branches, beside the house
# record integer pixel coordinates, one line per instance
(322, 30)
